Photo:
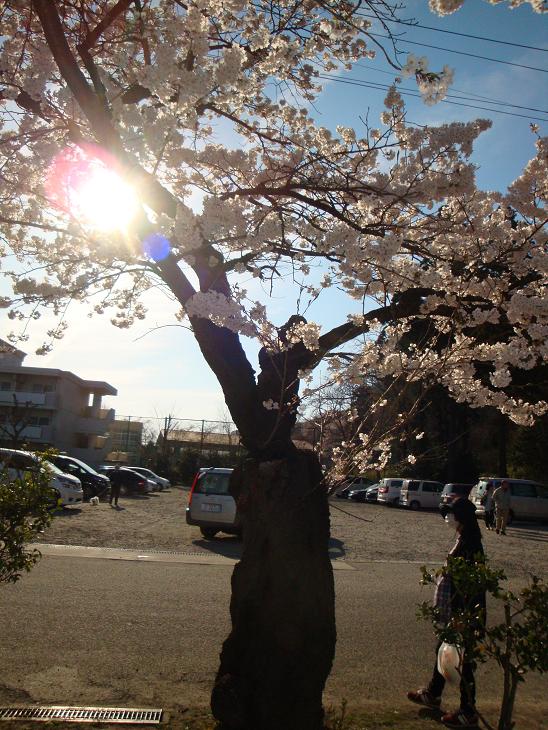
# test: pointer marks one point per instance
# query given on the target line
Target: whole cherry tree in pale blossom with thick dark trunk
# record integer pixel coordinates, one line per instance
(116, 107)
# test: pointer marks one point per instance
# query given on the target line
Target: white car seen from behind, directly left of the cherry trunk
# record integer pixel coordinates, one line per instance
(210, 506)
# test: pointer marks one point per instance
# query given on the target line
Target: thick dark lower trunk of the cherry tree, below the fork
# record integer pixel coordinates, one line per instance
(279, 653)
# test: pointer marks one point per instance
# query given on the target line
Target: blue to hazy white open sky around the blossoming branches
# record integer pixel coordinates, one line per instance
(158, 368)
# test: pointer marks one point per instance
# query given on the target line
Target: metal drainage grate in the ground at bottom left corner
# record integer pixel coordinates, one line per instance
(82, 714)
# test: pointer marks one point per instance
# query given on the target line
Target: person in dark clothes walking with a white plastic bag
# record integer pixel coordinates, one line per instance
(469, 547)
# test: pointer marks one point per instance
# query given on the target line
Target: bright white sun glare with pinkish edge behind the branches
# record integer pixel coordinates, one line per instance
(85, 183)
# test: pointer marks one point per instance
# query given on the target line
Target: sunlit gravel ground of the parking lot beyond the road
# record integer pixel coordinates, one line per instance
(360, 532)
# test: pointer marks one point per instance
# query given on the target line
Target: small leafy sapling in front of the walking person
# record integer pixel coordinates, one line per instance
(518, 643)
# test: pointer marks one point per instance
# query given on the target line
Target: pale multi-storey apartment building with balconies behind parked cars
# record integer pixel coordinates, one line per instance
(42, 407)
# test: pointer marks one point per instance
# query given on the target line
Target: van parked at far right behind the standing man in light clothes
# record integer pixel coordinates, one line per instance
(529, 498)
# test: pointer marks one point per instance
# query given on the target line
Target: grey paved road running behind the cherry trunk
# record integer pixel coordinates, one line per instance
(147, 632)
